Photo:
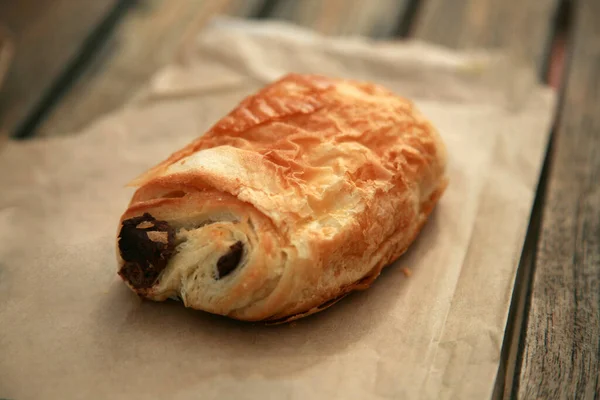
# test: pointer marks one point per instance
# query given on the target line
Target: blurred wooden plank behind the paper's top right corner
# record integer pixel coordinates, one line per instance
(522, 28)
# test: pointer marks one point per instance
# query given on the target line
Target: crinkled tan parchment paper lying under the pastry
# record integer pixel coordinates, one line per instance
(70, 329)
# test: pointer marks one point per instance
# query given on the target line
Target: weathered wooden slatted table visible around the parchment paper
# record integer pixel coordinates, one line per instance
(76, 60)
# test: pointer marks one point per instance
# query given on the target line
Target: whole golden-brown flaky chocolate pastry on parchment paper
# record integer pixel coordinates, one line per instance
(302, 194)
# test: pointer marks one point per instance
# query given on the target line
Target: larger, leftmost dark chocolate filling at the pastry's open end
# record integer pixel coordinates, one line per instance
(146, 246)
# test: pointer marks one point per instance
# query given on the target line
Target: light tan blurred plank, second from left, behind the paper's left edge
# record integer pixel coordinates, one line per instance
(147, 38)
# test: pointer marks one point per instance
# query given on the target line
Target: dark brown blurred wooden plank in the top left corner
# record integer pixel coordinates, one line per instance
(47, 35)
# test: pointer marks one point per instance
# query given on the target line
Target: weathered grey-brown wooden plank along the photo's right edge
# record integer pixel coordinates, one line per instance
(560, 358)
